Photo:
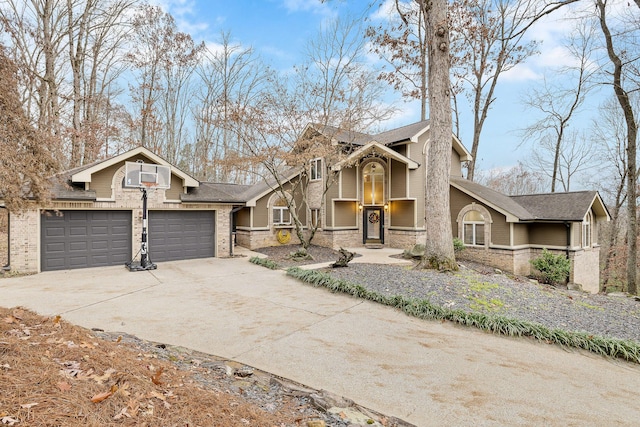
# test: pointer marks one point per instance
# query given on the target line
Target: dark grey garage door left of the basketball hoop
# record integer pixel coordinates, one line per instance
(81, 239)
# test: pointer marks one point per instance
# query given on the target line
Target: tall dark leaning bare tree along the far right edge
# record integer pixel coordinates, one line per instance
(619, 58)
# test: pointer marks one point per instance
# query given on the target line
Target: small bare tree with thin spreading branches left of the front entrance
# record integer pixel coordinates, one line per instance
(332, 91)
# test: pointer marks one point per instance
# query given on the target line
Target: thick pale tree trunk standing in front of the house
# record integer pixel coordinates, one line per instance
(439, 252)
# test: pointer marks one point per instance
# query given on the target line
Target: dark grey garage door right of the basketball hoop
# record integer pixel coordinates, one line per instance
(175, 235)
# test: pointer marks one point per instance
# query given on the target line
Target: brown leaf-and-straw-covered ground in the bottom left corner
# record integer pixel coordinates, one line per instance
(53, 373)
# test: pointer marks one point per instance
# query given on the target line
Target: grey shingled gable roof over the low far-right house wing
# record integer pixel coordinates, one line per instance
(570, 206)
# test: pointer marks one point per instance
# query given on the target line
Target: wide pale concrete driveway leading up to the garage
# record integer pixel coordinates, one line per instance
(427, 373)
